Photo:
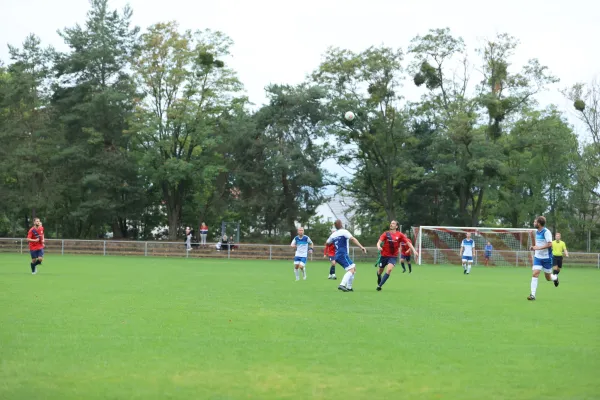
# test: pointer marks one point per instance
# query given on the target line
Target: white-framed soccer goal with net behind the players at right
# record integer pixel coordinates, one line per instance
(441, 245)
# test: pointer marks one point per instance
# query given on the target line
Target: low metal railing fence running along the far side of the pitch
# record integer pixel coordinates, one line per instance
(269, 252)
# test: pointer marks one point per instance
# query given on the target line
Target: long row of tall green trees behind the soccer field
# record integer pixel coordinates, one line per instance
(130, 130)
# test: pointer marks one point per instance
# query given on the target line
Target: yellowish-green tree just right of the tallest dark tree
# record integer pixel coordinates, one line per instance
(187, 91)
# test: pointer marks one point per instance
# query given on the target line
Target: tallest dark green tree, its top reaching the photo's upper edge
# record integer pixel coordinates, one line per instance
(95, 99)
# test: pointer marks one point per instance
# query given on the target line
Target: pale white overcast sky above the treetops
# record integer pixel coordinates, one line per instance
(278, 41)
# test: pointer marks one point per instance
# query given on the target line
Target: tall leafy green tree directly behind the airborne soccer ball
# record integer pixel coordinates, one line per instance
(376, 145)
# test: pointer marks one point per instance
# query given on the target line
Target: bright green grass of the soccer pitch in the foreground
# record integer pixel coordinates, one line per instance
(152, 328)
